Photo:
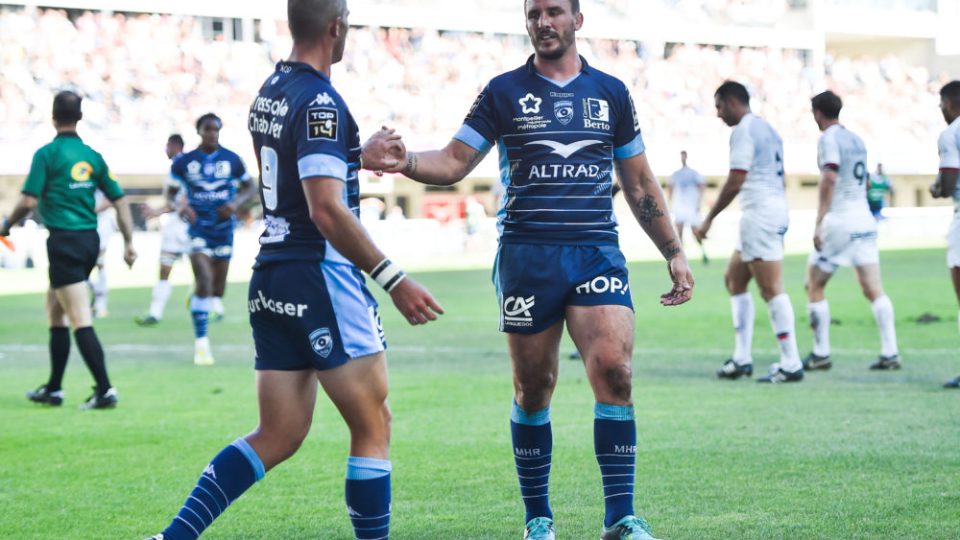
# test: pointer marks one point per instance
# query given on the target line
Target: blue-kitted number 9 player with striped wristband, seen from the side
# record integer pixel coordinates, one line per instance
(313, 318)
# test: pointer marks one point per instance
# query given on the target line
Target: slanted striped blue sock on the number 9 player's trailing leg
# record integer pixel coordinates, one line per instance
(236, 468)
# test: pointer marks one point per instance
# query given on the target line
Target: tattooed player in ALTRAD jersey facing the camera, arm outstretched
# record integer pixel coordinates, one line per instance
(561, 127)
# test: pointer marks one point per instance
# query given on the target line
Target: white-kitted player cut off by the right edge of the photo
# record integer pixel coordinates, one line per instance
(946, 184)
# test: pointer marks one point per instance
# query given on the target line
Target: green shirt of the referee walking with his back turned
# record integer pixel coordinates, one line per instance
(64, 176)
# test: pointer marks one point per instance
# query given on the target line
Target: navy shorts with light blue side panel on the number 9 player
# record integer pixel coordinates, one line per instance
(311, 315)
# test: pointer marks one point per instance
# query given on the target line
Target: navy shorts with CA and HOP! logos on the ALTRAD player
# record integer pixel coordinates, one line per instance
(535, 283)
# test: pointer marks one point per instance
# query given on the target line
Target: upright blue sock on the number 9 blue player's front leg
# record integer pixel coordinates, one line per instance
(368, 497)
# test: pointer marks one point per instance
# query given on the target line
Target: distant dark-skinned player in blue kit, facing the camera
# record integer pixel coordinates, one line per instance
(211, 176)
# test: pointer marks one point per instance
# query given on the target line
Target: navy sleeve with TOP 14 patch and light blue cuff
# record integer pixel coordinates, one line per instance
(321, 136)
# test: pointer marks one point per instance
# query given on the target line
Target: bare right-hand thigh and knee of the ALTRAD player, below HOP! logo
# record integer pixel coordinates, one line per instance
(604, 335)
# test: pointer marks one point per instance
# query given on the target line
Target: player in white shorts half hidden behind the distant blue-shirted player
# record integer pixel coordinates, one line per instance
(174, 242)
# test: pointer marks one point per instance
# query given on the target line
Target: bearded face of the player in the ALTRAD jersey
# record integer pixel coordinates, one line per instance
(552, 27)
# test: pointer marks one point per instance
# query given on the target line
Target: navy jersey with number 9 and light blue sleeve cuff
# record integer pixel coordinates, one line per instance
(301, 128)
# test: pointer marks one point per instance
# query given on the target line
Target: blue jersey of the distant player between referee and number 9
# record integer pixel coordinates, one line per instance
(210, 181)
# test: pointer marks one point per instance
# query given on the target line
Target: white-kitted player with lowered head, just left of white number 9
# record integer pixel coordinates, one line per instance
(756, 173)
